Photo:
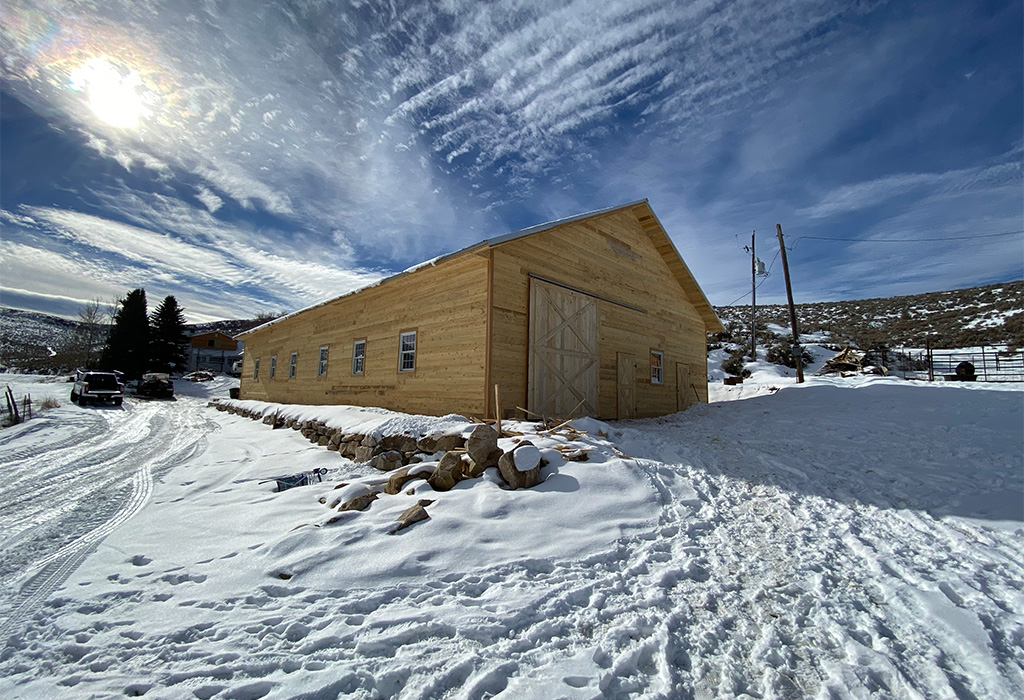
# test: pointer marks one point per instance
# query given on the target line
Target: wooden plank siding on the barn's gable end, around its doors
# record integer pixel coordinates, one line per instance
(611, 256)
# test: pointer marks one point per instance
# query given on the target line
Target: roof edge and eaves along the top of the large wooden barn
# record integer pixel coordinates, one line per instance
(684, 276)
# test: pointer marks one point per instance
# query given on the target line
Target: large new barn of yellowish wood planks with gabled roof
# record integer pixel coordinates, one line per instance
(592, 316)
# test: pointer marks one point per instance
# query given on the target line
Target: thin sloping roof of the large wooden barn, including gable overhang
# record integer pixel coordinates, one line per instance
(649, 221)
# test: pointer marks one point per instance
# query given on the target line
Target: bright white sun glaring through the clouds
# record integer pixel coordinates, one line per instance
(115, 95)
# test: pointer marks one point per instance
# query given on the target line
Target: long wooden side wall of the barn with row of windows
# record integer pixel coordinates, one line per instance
(446, 304)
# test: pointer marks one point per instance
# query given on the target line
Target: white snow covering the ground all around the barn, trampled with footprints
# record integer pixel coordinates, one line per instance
(839, 539)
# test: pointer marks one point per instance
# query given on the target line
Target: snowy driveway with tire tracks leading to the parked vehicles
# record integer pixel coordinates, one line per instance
(64, 489)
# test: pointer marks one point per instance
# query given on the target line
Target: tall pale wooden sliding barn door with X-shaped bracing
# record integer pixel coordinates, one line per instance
(564, 359)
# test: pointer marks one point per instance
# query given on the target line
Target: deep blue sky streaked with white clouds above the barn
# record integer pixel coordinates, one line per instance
(253, 157)
